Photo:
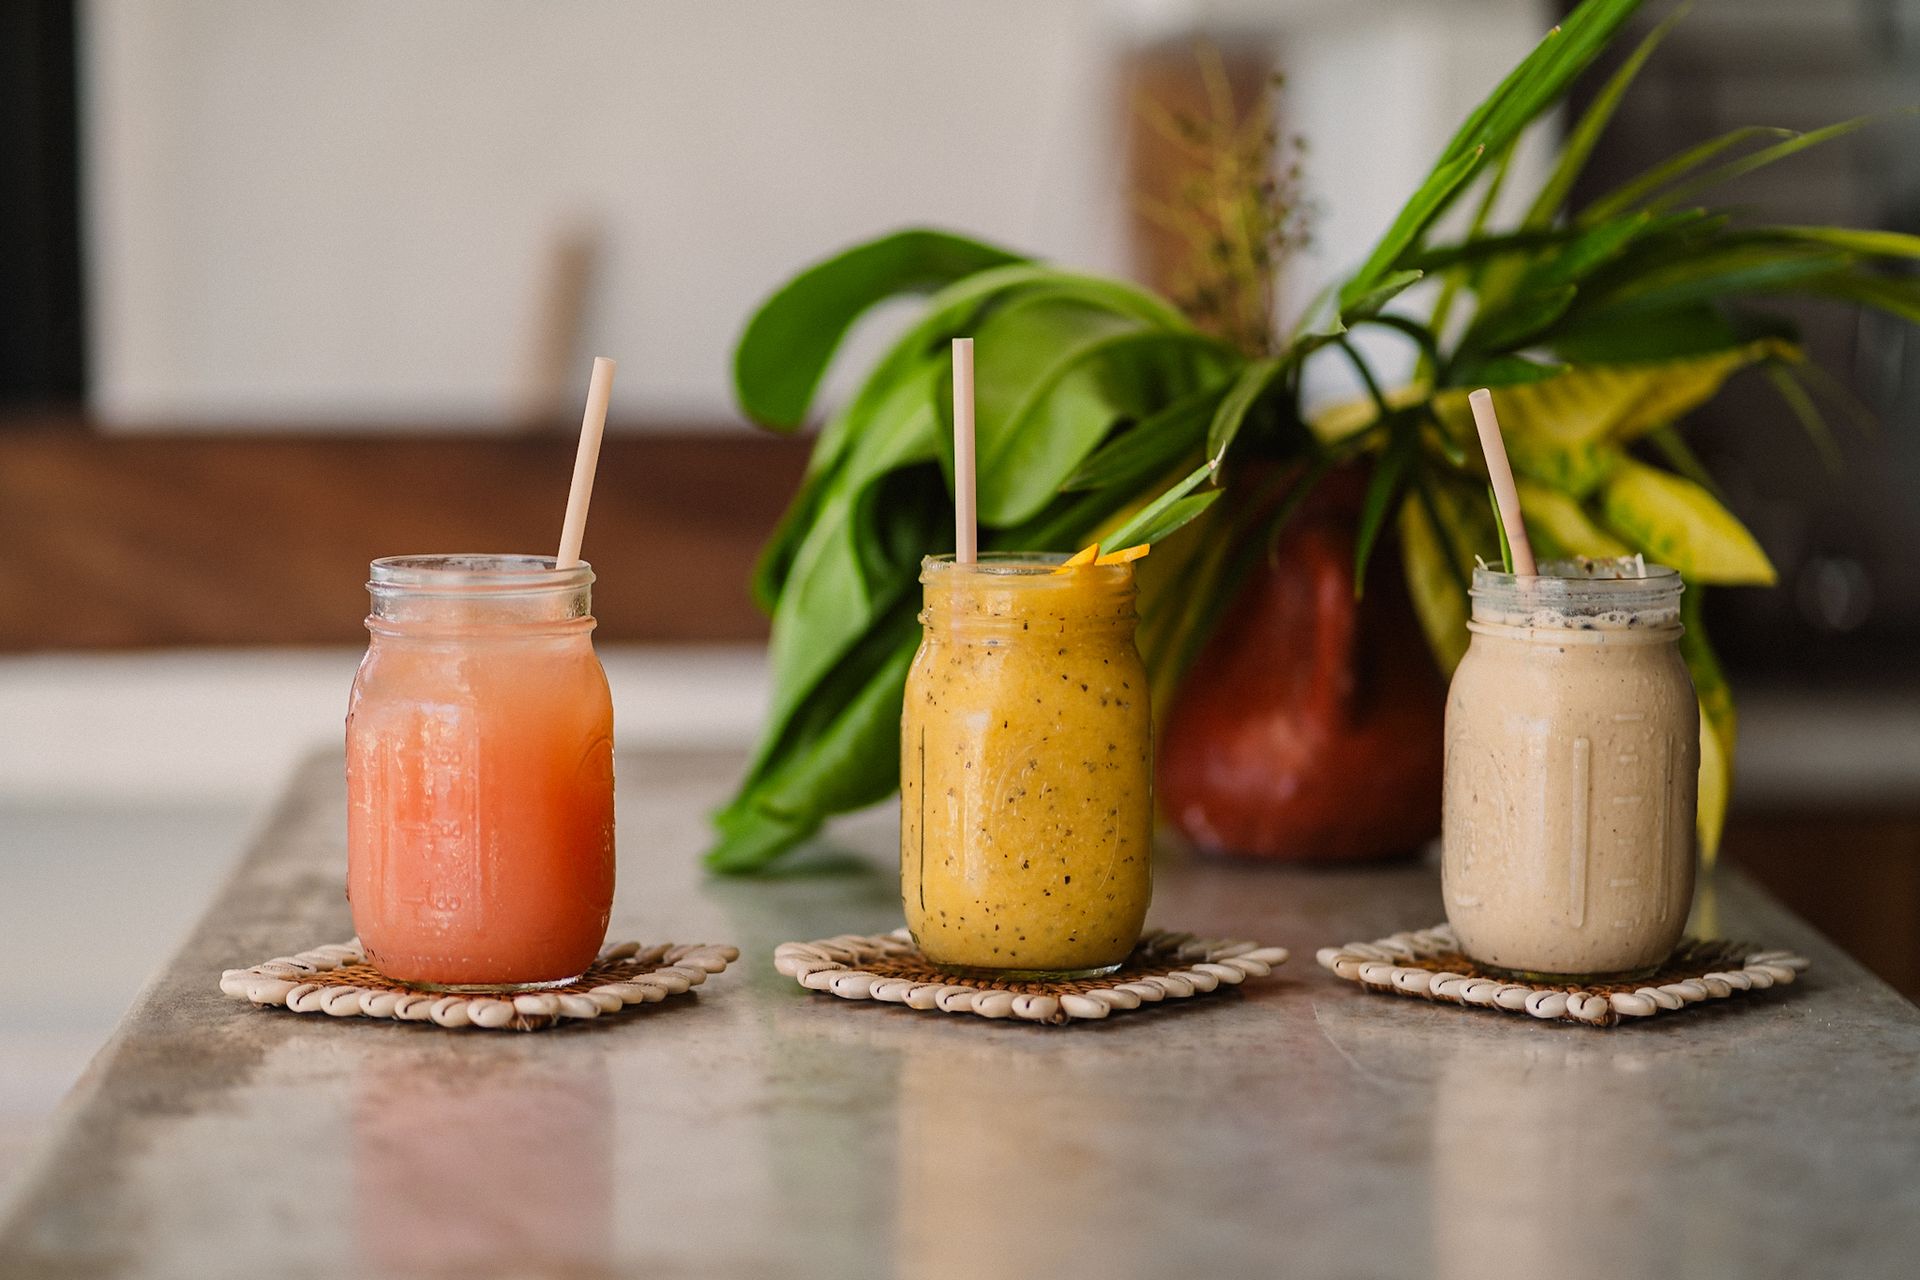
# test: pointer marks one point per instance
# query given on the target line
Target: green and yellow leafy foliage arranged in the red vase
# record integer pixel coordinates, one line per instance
(1107, 412)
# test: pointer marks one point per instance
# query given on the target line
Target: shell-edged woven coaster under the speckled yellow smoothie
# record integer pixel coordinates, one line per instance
(888, 966)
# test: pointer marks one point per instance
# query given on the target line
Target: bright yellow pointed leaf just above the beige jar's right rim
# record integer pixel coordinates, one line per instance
(1677, 523)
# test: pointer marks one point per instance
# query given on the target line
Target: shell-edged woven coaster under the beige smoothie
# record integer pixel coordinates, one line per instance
(1429, 966)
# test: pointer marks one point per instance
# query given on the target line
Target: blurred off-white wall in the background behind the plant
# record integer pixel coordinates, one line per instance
(348, 212)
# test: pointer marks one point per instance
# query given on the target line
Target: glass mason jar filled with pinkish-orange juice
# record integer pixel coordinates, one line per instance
(481, 774)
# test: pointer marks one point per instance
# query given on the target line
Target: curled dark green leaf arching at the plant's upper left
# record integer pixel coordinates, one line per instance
(792, 339)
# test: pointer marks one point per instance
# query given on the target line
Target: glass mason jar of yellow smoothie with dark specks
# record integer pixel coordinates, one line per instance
(1026, 769)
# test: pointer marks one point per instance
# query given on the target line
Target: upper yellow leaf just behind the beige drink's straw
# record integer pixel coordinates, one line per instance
(1568, 431)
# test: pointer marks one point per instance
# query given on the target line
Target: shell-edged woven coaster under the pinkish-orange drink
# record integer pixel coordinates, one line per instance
(341, 984)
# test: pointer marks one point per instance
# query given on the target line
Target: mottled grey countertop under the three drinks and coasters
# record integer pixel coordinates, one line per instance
(1293, 1127)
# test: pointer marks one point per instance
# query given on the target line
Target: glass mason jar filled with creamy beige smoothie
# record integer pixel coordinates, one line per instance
(1572, 772)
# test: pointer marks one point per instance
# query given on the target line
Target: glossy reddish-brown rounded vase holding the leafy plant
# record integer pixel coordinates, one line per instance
(1310, 726)
